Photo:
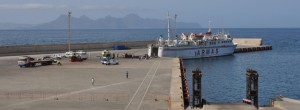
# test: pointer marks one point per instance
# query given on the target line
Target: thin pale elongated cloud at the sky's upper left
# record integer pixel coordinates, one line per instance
(28, 6)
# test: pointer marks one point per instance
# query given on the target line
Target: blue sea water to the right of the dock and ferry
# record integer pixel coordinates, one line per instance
(224, 78)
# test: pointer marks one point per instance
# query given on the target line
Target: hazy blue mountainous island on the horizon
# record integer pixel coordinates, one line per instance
(131, 21)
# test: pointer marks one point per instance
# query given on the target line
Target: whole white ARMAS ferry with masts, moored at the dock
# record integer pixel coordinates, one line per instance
(193, 45)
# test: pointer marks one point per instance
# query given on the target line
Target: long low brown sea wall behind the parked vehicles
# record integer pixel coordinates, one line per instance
(6, 50)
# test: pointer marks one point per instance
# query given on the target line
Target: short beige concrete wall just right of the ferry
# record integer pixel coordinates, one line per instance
(248, 41)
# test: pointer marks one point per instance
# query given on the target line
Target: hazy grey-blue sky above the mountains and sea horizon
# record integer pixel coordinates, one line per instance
(223, 13)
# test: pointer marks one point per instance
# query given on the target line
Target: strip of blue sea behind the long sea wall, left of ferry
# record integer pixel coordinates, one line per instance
(36, 37)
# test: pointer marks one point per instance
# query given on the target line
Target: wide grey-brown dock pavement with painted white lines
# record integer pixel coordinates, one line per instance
(69, 87)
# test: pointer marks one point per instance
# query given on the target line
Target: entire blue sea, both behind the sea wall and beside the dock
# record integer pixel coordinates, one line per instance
(223, 77)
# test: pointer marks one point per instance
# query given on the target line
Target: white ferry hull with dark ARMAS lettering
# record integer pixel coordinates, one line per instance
(196, 51)
